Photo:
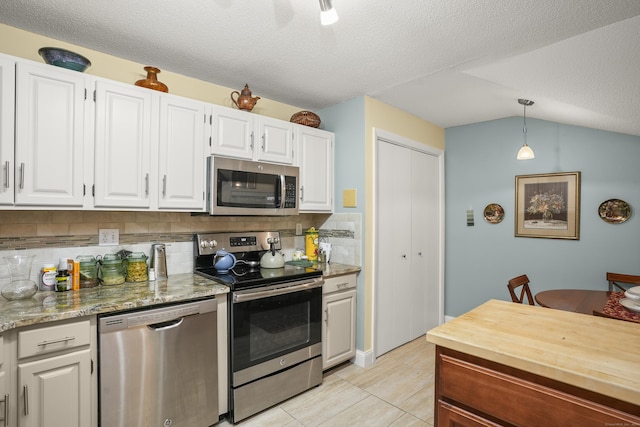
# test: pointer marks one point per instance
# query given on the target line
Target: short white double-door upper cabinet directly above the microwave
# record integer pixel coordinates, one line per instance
(244, 135)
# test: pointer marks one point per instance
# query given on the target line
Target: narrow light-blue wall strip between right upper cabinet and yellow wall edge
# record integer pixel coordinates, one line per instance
(346, 120)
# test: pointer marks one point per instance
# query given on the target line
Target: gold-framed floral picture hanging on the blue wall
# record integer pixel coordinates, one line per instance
(548, 205)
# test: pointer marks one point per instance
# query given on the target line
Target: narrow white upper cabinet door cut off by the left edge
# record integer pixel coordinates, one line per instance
(7, 105)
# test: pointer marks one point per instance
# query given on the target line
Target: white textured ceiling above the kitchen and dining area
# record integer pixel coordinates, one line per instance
(448, 62)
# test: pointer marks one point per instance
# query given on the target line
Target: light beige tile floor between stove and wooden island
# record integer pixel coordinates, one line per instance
(397, 391)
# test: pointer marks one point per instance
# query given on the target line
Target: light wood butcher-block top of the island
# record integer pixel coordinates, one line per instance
(594, 353)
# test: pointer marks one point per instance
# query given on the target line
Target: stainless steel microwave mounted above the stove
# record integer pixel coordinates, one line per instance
(243, 187)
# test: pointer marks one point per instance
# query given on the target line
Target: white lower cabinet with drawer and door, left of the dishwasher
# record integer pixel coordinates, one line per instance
(48, 378)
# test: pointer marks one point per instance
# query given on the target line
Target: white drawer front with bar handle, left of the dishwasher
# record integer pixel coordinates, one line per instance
(48, 339)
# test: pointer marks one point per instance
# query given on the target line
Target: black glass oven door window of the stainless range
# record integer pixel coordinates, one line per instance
(271, 327)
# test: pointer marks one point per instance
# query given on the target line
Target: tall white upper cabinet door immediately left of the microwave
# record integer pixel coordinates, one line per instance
(181, 154)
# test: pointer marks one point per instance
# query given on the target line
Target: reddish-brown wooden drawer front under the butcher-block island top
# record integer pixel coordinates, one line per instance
(518, 401)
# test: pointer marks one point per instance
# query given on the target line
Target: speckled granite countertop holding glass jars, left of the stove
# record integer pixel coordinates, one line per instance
(49, 306)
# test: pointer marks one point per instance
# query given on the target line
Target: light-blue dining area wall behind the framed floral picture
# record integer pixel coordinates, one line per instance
(480, 168)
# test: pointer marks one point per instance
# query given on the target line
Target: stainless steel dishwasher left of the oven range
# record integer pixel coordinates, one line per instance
(159, 367)
